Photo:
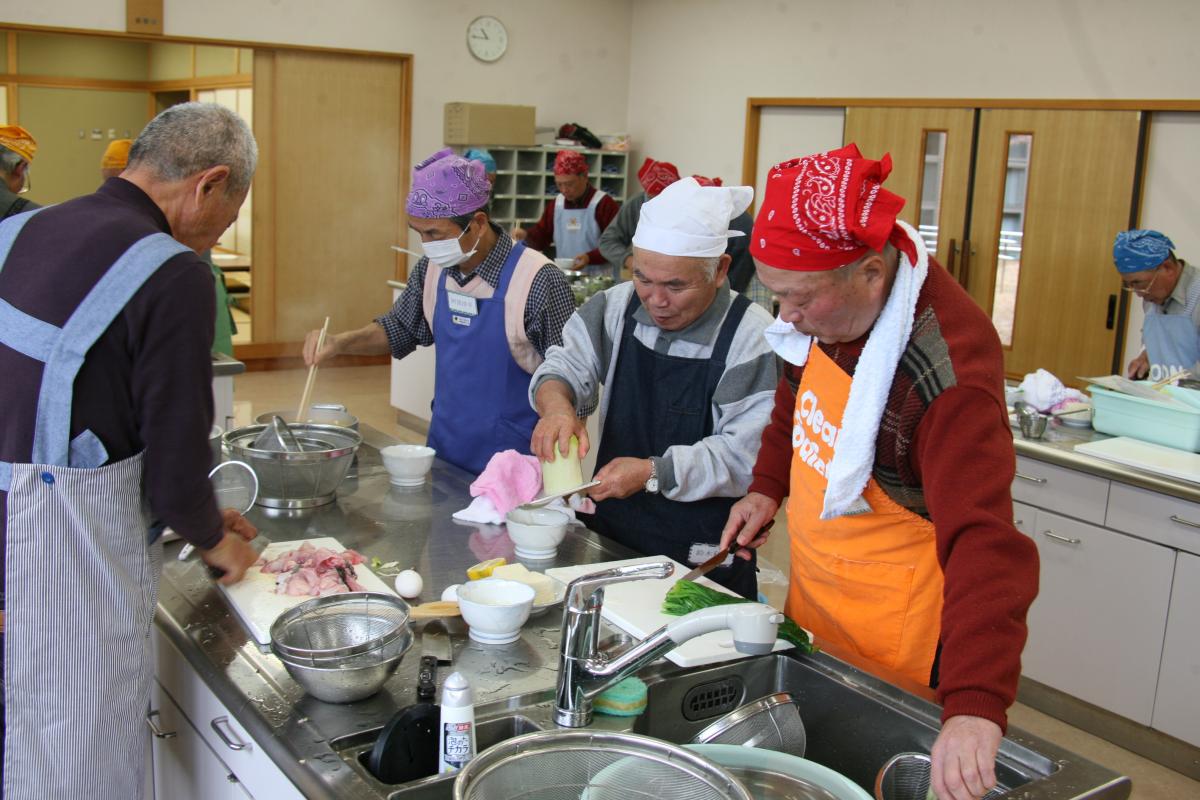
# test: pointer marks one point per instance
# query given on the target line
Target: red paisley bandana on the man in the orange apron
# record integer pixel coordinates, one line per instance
(825, 212)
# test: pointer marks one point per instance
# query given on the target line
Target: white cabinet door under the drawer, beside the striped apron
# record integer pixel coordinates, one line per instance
(185, 768)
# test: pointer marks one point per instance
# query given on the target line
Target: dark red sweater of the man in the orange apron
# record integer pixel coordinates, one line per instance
(945, 452)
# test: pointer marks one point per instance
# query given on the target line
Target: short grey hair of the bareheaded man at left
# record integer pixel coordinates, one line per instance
(193, 137)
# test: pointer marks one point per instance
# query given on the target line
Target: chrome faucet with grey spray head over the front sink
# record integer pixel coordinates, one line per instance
(584, 672)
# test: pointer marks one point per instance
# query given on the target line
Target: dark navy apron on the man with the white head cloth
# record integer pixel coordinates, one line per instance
(658, 401)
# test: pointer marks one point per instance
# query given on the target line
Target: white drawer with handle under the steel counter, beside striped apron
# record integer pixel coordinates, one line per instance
(218, 727)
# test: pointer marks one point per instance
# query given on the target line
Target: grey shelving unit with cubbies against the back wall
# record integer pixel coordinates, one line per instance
(525, 181)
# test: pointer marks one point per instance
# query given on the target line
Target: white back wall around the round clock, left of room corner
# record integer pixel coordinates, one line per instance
(569, 58)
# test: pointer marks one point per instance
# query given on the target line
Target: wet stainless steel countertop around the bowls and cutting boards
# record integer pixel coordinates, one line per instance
(410, 526)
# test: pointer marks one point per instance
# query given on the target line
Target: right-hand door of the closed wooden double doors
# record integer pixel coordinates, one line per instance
(1052, 190)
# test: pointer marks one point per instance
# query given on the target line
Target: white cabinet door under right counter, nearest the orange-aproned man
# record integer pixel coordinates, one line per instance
(1096, 629)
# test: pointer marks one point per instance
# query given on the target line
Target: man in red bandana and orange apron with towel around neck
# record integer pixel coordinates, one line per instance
(891, 443)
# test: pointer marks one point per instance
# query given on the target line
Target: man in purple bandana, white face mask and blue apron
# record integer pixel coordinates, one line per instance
(493, 306)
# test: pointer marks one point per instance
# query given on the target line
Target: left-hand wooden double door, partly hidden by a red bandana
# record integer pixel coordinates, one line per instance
(931, 167)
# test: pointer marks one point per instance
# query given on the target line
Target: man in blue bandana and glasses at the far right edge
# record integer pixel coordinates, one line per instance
(1171, 297)
